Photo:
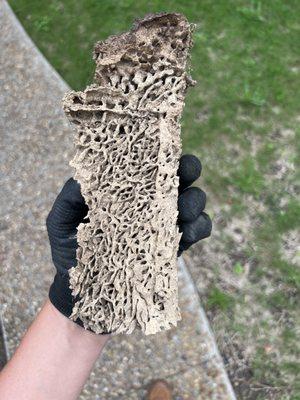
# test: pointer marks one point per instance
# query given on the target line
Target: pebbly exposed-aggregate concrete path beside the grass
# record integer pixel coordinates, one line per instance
(36, 146)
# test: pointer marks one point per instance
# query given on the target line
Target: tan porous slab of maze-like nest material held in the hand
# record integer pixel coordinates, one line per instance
(127, 155)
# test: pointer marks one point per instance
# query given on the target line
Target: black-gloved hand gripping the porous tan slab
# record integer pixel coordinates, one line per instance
(69, 210)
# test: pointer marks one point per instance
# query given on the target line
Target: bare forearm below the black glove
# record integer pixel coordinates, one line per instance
(53, 361)
